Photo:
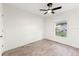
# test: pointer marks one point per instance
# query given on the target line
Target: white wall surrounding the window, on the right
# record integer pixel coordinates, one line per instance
(72, 17)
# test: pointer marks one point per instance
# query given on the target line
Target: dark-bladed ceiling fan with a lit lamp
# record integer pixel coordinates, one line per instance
(50, 9)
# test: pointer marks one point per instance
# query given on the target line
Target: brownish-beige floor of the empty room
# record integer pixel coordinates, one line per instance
(43, 48)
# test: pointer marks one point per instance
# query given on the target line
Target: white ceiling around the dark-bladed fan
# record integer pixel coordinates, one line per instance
(34, 8)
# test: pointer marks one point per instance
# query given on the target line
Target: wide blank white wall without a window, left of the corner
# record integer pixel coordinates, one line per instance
(20, 27)
